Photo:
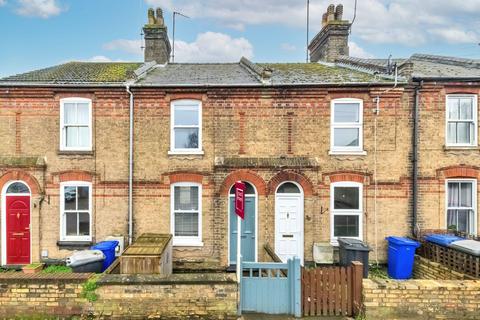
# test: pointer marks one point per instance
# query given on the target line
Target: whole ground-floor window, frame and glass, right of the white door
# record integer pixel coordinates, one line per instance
(346, 210)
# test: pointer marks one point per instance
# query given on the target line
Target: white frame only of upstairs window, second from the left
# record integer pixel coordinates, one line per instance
(184, 103)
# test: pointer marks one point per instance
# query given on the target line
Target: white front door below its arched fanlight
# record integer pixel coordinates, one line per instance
(289, 226)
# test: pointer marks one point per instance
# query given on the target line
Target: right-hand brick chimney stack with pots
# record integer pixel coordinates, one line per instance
(332, 41)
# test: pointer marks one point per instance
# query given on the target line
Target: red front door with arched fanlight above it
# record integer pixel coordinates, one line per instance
(17, 223)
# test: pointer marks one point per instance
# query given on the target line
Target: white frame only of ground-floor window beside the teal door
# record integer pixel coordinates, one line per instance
(195, 241)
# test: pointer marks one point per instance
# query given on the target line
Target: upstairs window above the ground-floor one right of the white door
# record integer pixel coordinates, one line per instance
(346, 126)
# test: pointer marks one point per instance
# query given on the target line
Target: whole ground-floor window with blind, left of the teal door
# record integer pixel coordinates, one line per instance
(186, 213)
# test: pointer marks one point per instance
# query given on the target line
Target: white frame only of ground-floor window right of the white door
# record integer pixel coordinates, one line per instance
(346, 212)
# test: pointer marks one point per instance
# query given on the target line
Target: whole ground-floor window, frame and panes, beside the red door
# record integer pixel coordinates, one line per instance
(76, 211)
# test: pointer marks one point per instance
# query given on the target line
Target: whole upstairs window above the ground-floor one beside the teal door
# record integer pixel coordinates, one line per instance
(186, 126)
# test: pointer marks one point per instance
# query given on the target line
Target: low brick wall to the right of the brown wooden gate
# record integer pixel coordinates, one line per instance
(421, 299)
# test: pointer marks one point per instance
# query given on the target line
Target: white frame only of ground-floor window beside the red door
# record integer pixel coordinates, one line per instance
(63, 227)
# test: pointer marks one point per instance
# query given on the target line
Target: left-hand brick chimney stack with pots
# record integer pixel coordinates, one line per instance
(157, 45)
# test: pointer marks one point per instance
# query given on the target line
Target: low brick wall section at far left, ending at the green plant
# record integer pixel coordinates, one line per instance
(25, 295)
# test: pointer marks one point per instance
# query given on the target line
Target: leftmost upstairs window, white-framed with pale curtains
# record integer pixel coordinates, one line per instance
(76, 124)
